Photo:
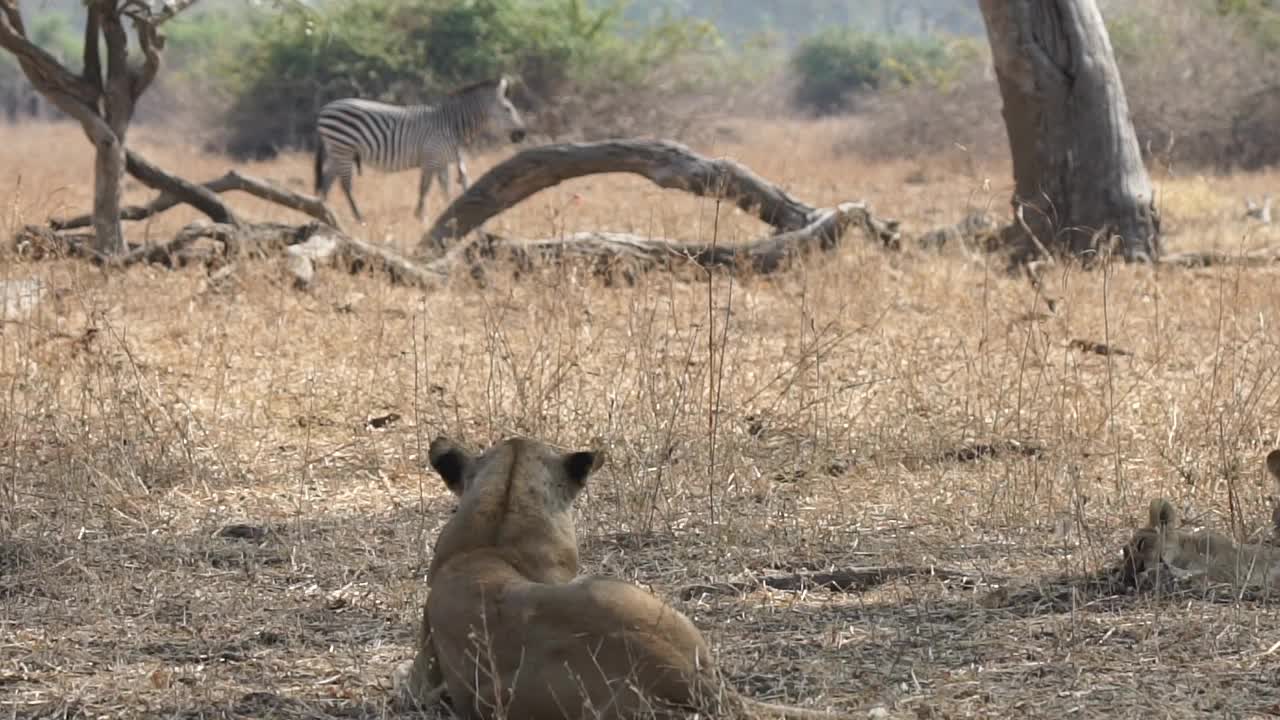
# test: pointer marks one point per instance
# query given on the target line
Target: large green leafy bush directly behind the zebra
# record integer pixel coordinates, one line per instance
(417, 51)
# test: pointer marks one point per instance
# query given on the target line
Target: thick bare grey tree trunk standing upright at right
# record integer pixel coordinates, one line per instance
(1077, 166)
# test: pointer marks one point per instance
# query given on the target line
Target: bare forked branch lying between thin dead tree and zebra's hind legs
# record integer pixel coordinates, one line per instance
(234, 180)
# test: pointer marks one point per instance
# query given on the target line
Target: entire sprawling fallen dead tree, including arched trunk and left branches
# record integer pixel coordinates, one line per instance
(801, 230)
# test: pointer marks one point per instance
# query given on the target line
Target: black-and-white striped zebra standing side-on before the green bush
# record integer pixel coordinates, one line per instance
(396, 139)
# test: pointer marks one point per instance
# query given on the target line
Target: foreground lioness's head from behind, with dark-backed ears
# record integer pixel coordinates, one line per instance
(515, 498)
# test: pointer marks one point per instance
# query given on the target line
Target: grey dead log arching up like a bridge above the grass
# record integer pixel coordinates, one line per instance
(666, 165)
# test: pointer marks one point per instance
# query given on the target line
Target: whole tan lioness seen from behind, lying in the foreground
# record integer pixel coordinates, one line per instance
(514, 636)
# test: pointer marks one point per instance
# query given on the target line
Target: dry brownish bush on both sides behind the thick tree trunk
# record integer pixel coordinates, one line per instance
(1200, 78)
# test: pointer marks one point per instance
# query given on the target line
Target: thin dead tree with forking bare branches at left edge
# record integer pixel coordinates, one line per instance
(103, 97)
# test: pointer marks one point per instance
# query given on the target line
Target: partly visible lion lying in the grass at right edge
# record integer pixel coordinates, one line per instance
(1208, 554)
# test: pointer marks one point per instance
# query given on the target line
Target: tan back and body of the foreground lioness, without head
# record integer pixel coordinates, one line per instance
(593, 644)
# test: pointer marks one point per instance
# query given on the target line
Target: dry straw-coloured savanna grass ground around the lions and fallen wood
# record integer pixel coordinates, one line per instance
(829, 418)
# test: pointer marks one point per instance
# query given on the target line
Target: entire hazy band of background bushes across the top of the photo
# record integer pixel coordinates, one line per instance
(249, 78)
